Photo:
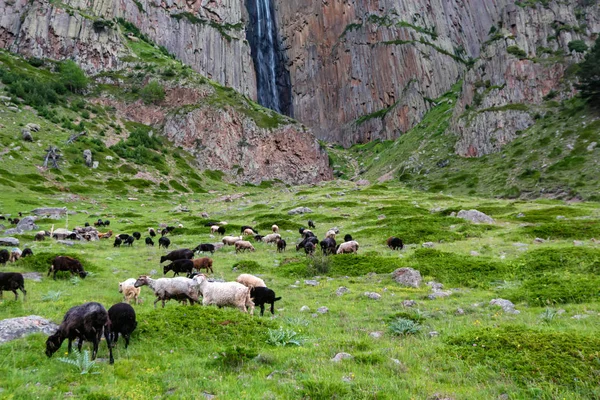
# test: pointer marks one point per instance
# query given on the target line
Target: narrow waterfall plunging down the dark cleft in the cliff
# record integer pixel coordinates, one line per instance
(273, 79)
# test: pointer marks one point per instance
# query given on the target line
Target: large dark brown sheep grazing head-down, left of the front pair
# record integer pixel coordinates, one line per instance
(84, 322)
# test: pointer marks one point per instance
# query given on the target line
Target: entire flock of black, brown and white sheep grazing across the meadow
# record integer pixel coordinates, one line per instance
(89, 321)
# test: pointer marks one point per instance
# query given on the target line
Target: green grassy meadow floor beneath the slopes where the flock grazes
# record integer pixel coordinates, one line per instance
(550, 350)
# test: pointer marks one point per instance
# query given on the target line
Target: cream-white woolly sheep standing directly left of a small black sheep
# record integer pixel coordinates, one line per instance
(222, 294)
